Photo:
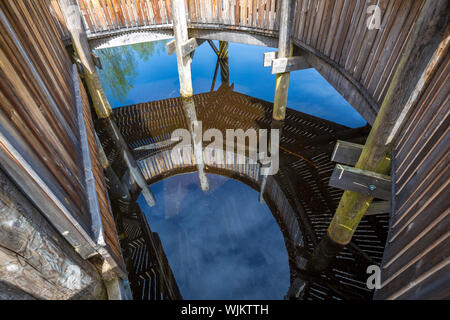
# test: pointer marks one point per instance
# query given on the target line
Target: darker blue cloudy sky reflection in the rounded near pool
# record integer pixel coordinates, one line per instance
(220, 245)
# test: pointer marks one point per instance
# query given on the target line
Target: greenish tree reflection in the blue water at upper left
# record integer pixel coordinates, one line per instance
(120, 66)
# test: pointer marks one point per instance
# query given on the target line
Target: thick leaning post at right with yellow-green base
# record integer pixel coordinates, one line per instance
(422, 51)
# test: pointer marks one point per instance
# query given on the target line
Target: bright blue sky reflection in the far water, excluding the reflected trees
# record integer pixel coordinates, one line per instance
(309, 92)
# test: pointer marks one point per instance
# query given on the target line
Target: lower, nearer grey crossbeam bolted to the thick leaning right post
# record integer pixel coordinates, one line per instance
(364, 182)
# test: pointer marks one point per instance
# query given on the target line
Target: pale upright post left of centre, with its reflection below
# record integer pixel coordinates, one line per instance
(184, 73)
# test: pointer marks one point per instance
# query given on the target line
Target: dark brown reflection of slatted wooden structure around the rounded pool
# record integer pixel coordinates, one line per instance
(298, 196)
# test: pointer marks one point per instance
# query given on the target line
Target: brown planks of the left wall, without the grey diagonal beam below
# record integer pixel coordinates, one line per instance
(38, 109)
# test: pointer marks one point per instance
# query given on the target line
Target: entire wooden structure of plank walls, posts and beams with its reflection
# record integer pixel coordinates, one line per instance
(395, 76)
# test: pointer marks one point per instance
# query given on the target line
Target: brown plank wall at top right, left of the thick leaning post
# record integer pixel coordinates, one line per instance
(336, 31)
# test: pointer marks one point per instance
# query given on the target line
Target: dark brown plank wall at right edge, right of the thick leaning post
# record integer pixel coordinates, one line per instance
(416, 262)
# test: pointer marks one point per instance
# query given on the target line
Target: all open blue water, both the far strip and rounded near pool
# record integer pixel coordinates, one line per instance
(222, 244)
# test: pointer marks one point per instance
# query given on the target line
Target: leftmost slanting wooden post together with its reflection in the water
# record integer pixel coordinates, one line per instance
(74, 23)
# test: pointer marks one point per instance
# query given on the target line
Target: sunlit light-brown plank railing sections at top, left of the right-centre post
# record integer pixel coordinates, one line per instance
(103, 16)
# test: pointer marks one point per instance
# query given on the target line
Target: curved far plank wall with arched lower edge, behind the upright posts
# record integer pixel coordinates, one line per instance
(332, 35)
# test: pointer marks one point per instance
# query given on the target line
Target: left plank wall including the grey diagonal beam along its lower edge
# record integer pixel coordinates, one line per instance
(40, 127)
